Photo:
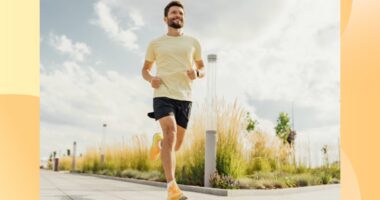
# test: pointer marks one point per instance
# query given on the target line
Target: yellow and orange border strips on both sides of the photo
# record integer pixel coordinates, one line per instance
(20, 108)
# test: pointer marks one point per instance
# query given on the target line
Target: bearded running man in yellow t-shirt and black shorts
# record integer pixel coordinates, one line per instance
(175, 54)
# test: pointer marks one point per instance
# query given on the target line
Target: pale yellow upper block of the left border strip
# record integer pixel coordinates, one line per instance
(19, 49)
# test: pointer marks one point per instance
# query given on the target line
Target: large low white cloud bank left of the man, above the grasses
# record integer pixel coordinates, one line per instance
(76, 100)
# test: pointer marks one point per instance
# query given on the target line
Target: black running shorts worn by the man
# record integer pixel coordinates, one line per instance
(164, 106)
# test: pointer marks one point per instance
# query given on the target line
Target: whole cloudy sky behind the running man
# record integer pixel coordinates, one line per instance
(273, 56)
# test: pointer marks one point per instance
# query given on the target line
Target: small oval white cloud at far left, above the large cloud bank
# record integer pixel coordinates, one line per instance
(76, 50)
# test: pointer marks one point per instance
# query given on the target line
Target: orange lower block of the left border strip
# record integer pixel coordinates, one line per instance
(19, 147)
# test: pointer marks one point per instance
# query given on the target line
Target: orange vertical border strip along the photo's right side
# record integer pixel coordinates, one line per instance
(360, 96)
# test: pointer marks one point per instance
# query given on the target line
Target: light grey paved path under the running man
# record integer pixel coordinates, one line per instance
(64, 186)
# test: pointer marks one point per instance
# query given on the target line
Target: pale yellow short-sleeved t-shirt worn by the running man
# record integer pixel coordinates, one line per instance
(173, 56)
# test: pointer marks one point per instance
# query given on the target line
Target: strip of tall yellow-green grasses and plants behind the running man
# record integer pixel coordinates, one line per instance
(244, 160)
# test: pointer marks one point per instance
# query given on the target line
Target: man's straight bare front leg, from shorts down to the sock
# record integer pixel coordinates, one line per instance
(169, 129)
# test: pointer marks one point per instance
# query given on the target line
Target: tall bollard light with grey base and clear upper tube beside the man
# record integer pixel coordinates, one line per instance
(211, 137)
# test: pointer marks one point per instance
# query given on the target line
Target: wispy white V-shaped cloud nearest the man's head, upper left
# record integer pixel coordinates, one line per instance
(111, 24)
